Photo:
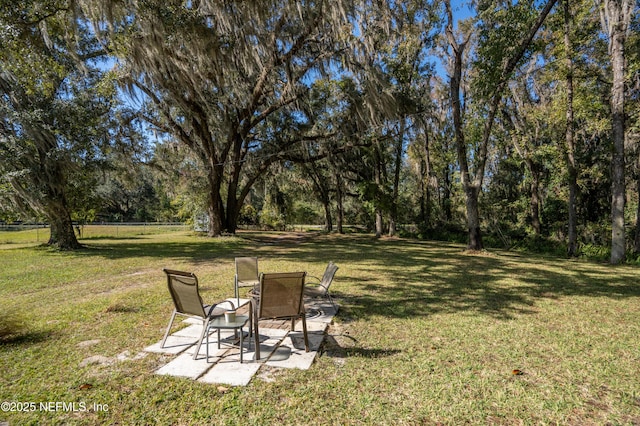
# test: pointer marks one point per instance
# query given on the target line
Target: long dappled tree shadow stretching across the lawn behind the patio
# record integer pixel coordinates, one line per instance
(405, 278)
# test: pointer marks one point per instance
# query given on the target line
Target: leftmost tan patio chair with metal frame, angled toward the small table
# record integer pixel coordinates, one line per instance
(183, 287)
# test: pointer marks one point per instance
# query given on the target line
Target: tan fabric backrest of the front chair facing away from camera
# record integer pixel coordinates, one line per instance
(281, 295)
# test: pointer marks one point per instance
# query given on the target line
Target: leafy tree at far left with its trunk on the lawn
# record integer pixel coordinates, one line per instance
(55, 111)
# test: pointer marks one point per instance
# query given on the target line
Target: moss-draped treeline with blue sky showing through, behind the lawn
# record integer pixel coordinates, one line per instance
(514, 121)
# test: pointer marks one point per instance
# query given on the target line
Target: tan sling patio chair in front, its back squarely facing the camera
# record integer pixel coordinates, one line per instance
(280, 297)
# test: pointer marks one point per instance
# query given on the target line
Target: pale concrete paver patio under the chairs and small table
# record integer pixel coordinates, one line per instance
(279, 348)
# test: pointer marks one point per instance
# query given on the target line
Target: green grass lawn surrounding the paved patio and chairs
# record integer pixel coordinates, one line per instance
(426, 334)
